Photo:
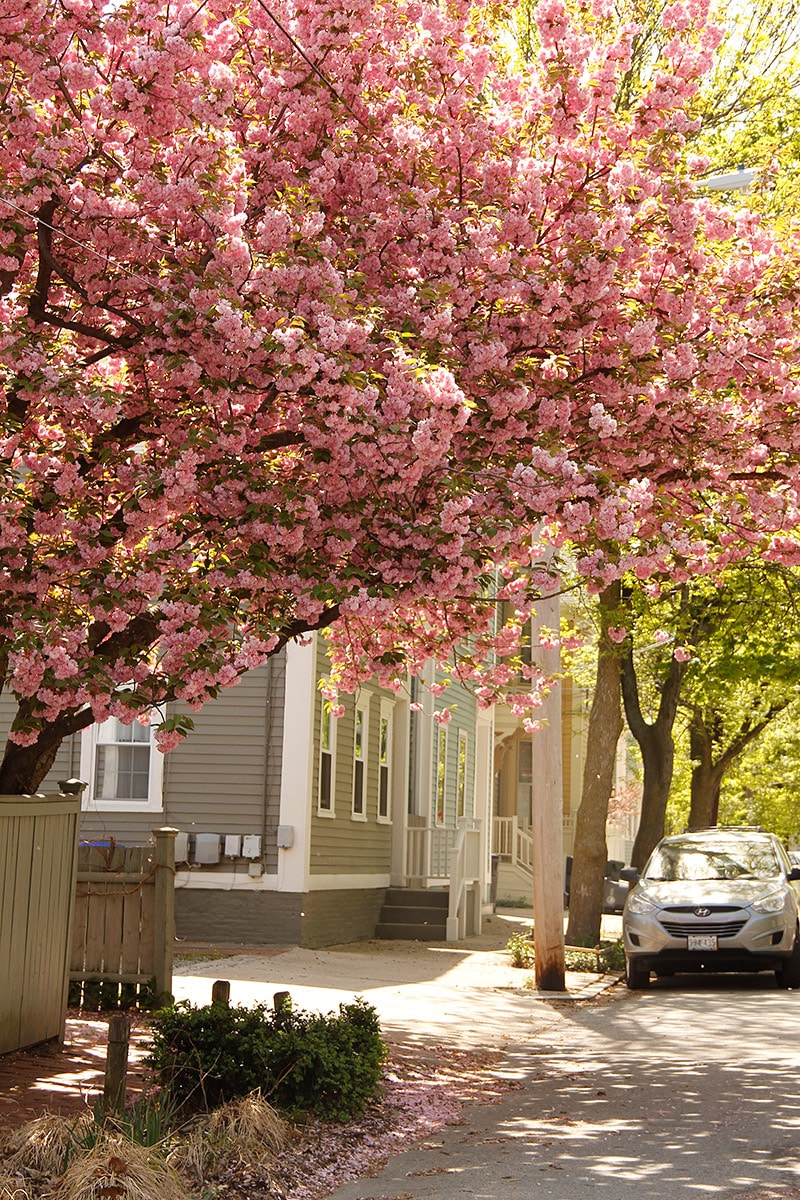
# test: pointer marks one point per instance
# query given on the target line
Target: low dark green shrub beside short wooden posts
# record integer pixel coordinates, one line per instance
(329, 1066)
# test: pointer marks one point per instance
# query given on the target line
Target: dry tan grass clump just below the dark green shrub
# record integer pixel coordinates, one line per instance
(248, 1131)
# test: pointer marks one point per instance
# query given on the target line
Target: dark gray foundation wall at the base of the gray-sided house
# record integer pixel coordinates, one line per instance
(278, 919)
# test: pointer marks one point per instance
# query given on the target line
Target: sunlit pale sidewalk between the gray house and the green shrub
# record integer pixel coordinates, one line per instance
(465, 994)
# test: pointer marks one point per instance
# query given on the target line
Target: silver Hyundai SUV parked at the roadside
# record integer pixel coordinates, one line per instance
(720, 899)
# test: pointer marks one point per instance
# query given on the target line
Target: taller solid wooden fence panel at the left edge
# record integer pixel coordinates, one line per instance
(39, 839)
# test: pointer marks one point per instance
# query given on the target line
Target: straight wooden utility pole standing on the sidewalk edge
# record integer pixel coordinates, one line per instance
(546, 814)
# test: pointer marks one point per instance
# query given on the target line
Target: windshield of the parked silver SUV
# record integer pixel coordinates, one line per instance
(741, 860)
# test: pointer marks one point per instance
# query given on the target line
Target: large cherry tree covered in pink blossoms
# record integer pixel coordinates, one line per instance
(312, 313)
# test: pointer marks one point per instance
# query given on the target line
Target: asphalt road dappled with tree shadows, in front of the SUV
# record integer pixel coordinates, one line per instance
(691, 1089)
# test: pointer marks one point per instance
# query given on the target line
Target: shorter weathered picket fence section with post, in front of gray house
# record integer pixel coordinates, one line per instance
(124, 923)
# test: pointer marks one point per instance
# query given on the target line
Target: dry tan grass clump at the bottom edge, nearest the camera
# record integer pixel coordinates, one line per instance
(123, 1171)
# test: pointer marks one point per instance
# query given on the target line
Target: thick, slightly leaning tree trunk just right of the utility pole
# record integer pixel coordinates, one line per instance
(591, 853)
